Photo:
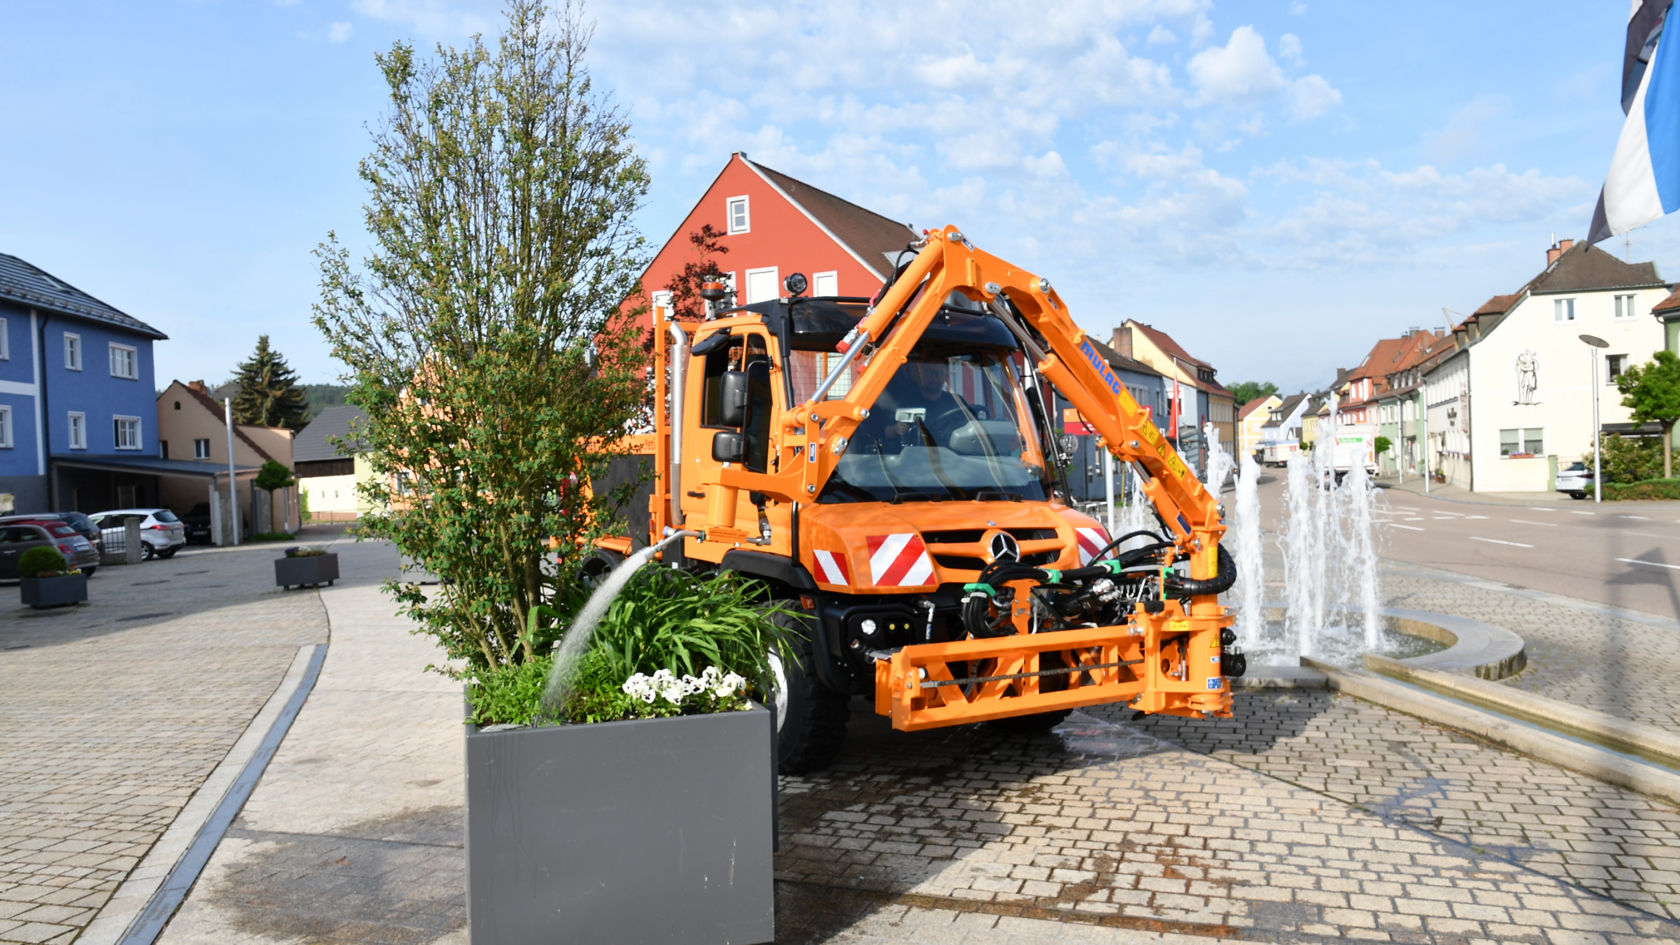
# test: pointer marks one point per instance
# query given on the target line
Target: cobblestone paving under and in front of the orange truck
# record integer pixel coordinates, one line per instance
(1274, 837)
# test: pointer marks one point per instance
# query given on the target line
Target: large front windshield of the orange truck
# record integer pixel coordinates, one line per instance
(948, 426)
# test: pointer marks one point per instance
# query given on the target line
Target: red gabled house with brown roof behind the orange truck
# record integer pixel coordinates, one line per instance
(775, 226)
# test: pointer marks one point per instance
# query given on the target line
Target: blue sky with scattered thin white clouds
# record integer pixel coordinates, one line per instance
(1278, 184)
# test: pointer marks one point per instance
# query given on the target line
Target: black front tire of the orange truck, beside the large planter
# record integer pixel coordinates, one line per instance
(811, 717)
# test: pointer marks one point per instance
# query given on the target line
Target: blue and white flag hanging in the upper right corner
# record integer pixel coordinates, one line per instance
(1644, 179)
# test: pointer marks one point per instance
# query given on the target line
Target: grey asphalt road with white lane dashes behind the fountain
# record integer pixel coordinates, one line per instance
(1619, 554)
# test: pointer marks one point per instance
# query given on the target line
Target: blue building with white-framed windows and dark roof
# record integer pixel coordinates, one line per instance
(78, 404)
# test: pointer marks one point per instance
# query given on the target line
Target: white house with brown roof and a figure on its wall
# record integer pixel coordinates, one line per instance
(1528, 376)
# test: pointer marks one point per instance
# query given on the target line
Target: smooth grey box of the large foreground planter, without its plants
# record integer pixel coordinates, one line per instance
(624, 831)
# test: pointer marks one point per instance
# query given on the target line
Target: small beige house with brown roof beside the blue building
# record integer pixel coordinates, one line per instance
(192, 428)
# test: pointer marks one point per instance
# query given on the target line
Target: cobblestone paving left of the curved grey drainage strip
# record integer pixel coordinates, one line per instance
(113, 714)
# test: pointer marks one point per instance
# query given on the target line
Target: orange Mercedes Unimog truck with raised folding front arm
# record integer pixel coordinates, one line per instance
(890, 468)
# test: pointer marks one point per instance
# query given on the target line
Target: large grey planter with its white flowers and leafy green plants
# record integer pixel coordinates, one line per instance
(648, 811)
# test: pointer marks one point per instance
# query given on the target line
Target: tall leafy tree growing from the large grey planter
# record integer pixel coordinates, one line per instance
(483, 330)
